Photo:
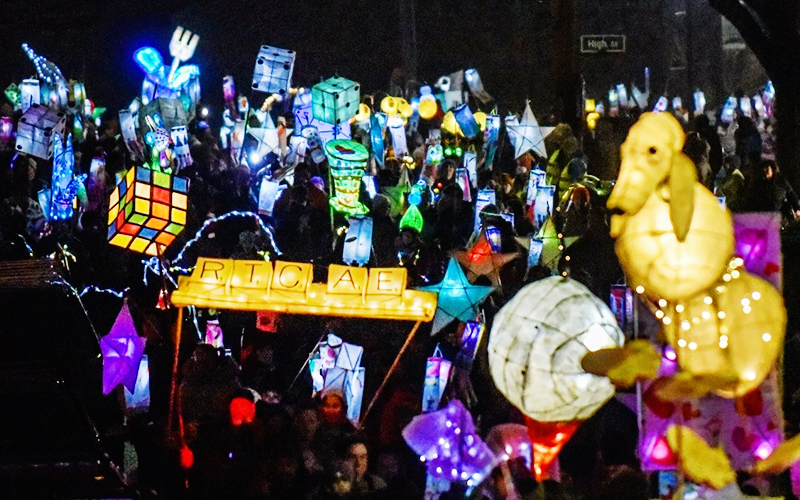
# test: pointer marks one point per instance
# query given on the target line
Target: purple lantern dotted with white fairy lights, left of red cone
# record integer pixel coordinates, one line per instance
(446, 443)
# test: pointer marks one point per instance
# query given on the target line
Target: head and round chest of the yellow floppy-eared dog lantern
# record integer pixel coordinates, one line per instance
(673, 238)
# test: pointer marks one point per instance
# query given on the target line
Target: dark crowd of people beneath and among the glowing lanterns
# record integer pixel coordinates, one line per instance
(250, 427)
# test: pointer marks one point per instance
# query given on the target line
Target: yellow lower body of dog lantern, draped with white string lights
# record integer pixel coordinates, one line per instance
(735, 329)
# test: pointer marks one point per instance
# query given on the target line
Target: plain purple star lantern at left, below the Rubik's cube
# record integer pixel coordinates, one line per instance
(122, 351)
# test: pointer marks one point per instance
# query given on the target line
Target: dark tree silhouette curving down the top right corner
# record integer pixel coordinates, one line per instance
(771, 28)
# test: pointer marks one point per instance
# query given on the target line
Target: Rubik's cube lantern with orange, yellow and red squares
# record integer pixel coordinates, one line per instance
(147, 210)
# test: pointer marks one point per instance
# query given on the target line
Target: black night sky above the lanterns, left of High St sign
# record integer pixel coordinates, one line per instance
(94, 41)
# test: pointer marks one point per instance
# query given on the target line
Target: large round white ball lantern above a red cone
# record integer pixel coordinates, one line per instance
(536, 345)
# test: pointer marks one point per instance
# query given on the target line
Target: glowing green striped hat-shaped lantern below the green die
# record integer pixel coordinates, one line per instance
(348, 162)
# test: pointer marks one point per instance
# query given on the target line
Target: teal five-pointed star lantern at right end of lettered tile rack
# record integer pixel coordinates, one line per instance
(458, 298)
